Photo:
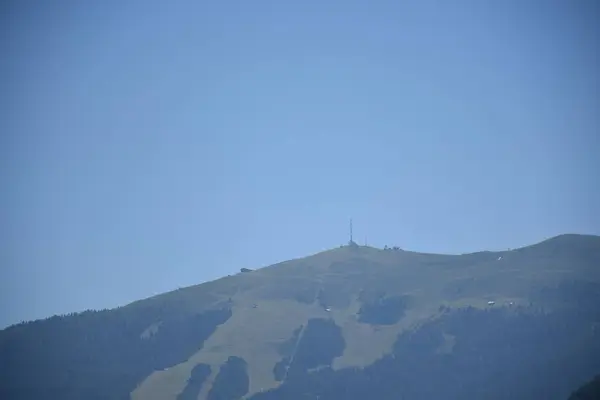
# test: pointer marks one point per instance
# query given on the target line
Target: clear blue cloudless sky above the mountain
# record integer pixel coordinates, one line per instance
(147, 145)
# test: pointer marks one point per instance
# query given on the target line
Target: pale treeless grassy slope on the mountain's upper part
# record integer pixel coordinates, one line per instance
(283, 292)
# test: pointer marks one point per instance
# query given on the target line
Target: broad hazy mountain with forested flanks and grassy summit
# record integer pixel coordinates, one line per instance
(353, 322)
